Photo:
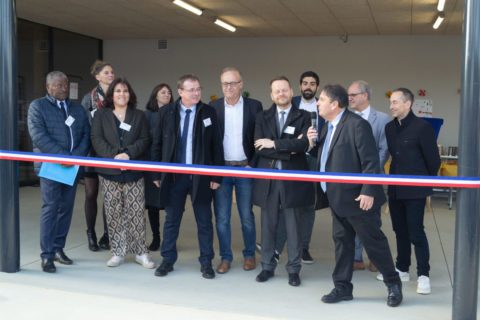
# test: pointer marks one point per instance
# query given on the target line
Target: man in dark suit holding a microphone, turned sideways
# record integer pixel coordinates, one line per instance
(346, 144)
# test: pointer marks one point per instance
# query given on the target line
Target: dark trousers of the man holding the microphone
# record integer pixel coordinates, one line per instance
(367, 227)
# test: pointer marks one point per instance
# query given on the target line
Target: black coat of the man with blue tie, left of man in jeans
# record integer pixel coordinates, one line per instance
(207, 148)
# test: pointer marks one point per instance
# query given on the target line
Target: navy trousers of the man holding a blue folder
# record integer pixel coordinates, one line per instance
(56, 215)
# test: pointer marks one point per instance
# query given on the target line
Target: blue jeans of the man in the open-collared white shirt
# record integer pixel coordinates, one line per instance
(223, 212)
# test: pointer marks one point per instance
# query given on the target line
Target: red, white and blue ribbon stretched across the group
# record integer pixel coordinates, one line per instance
(354, 178)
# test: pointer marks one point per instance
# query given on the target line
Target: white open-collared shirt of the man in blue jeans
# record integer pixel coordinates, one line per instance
(233, 136)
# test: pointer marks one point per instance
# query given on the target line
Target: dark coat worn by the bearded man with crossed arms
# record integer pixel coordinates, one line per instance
(290, 150)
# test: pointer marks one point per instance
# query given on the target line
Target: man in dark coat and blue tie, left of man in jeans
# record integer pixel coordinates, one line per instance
(187, 133)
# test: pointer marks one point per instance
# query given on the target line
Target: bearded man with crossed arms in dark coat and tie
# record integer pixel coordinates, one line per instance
(280, 140)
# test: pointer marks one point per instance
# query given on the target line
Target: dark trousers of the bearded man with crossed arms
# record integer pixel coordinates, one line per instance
(271, 215)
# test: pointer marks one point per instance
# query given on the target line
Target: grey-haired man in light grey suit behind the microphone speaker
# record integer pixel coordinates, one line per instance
(359, 94)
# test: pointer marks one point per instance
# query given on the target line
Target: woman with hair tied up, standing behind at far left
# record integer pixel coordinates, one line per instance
(92, 102)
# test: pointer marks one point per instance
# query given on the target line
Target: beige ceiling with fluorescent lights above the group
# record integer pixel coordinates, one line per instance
(161, 19)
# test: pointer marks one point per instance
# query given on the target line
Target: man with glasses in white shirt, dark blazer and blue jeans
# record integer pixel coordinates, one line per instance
(236, 121)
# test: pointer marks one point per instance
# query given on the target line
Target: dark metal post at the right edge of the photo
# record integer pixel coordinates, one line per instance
(467, 229)
